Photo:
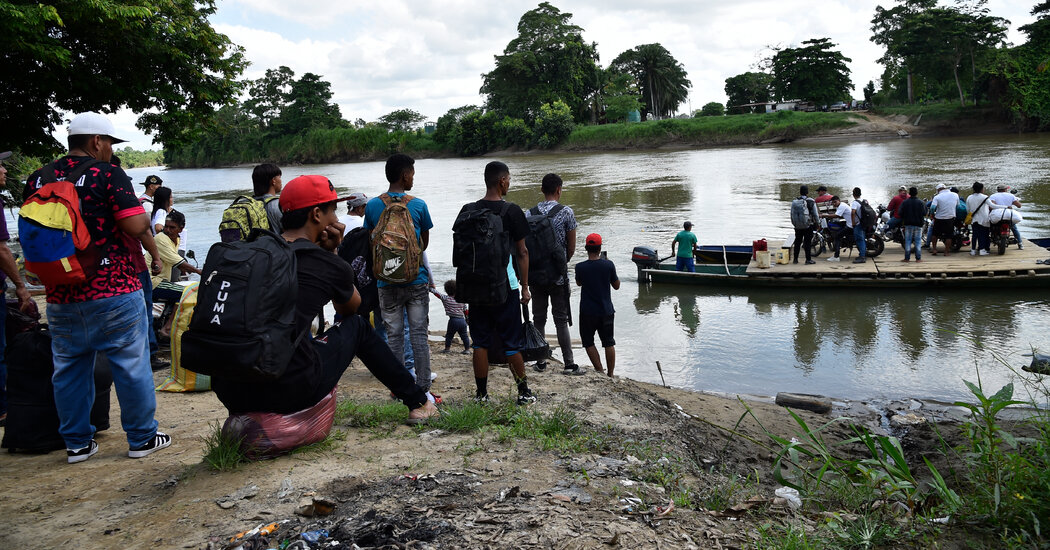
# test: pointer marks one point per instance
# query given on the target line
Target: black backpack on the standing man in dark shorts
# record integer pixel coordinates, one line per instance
(481, 250)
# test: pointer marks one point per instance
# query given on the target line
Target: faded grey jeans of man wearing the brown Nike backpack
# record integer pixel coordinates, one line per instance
(414, 301)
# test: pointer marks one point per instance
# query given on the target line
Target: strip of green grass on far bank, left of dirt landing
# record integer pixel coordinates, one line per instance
(734, 130)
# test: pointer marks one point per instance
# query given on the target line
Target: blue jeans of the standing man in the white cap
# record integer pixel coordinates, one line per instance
(116, 327)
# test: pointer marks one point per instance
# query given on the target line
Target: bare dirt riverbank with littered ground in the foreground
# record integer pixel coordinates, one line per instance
(602, 463)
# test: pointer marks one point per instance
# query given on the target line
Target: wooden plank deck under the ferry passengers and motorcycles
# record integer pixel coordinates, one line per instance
(889, 265)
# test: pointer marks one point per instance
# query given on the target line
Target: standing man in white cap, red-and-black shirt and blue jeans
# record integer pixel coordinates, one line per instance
(107, 314)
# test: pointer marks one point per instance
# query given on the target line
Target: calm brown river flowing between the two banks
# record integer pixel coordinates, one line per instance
(853, 345)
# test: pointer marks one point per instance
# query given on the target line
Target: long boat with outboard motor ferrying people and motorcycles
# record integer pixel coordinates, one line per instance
(733, 266)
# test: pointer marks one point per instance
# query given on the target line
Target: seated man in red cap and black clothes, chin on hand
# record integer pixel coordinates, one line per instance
(309, 206)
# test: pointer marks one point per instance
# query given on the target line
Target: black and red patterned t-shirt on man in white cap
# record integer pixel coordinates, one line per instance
(107, 196)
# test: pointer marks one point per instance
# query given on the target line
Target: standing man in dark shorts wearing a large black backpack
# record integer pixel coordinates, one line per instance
(501, 324)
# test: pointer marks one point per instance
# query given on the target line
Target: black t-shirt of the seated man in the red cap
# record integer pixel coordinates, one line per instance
(323, 278)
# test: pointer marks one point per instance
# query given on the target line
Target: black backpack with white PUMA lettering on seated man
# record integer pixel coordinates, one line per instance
(244, 323)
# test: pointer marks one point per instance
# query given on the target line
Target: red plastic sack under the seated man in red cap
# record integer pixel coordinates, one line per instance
(265, 435)
